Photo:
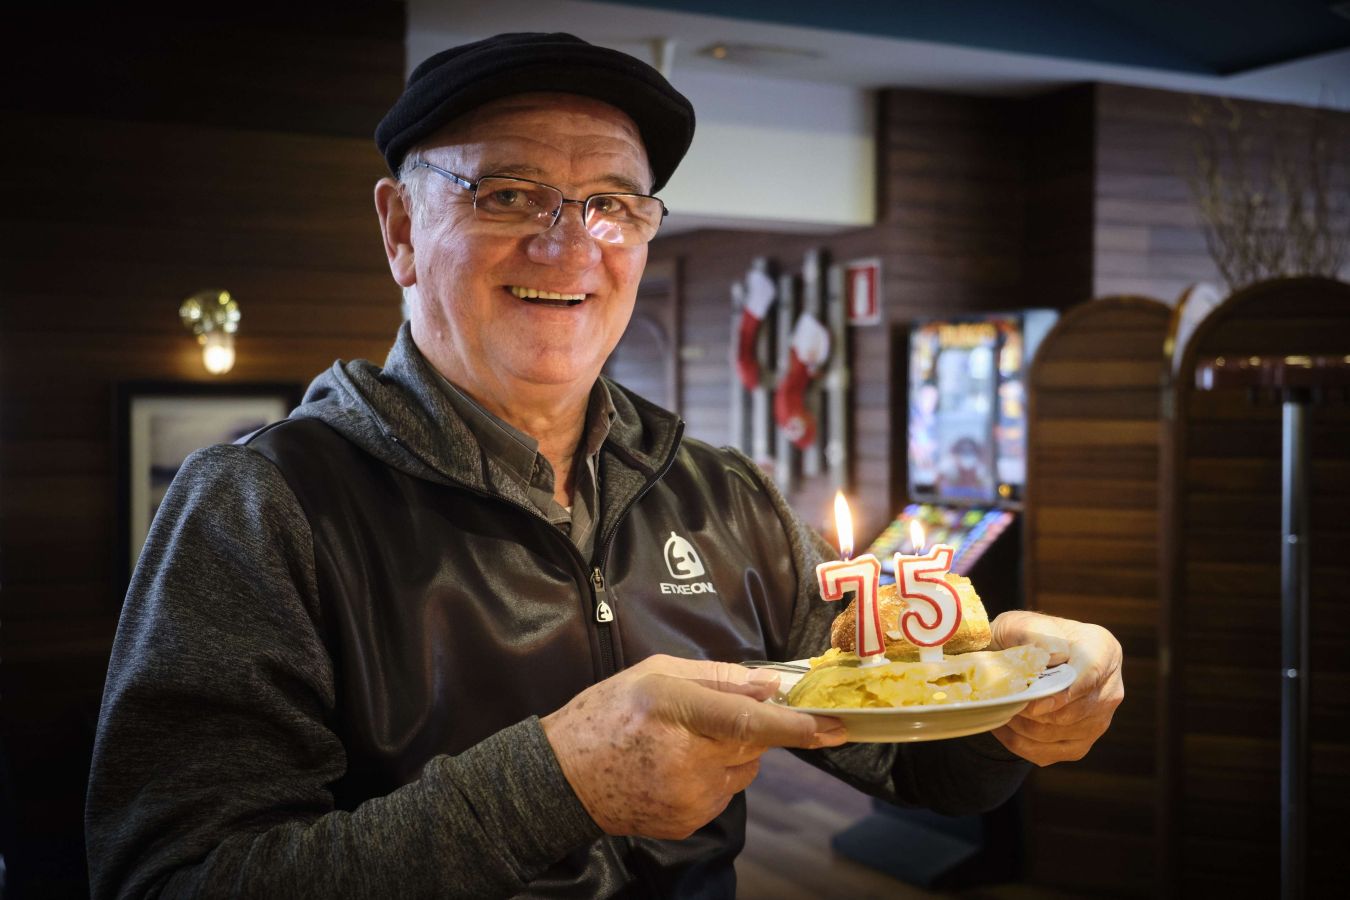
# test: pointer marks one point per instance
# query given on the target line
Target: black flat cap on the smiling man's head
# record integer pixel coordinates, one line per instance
(462, 79)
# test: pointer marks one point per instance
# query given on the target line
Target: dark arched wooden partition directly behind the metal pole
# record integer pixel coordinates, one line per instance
(1220, 822)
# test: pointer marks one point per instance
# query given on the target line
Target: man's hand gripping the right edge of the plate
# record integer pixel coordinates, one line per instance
(1063, 727)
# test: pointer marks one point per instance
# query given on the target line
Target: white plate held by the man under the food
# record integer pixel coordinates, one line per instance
(935, 723)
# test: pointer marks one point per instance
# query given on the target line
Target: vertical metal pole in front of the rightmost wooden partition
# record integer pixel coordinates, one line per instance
(1294, 706)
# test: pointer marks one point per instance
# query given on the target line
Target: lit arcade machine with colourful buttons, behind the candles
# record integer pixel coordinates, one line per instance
(967, 477)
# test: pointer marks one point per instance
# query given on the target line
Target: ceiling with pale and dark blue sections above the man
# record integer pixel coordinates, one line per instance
(1280, 51)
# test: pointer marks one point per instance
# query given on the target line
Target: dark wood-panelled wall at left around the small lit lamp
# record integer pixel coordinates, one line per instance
(145, 160)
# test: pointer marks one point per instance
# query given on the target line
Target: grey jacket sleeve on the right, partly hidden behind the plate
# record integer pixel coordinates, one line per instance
(954, 778)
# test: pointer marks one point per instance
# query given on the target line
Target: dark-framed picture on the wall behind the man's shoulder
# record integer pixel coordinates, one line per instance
(160, 424)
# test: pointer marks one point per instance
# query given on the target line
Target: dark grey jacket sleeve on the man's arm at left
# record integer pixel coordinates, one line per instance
(214, 754)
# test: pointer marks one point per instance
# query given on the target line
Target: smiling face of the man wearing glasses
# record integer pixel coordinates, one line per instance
(473, 315)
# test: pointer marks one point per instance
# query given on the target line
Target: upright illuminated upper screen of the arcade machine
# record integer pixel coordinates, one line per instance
(967, 399)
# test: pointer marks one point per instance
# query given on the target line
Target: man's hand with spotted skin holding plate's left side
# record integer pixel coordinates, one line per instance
(662, 748)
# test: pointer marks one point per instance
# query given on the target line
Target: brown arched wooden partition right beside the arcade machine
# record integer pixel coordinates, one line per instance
(1091, 555)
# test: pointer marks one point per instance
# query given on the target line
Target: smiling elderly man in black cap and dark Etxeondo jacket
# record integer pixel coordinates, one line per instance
(412, 642)
